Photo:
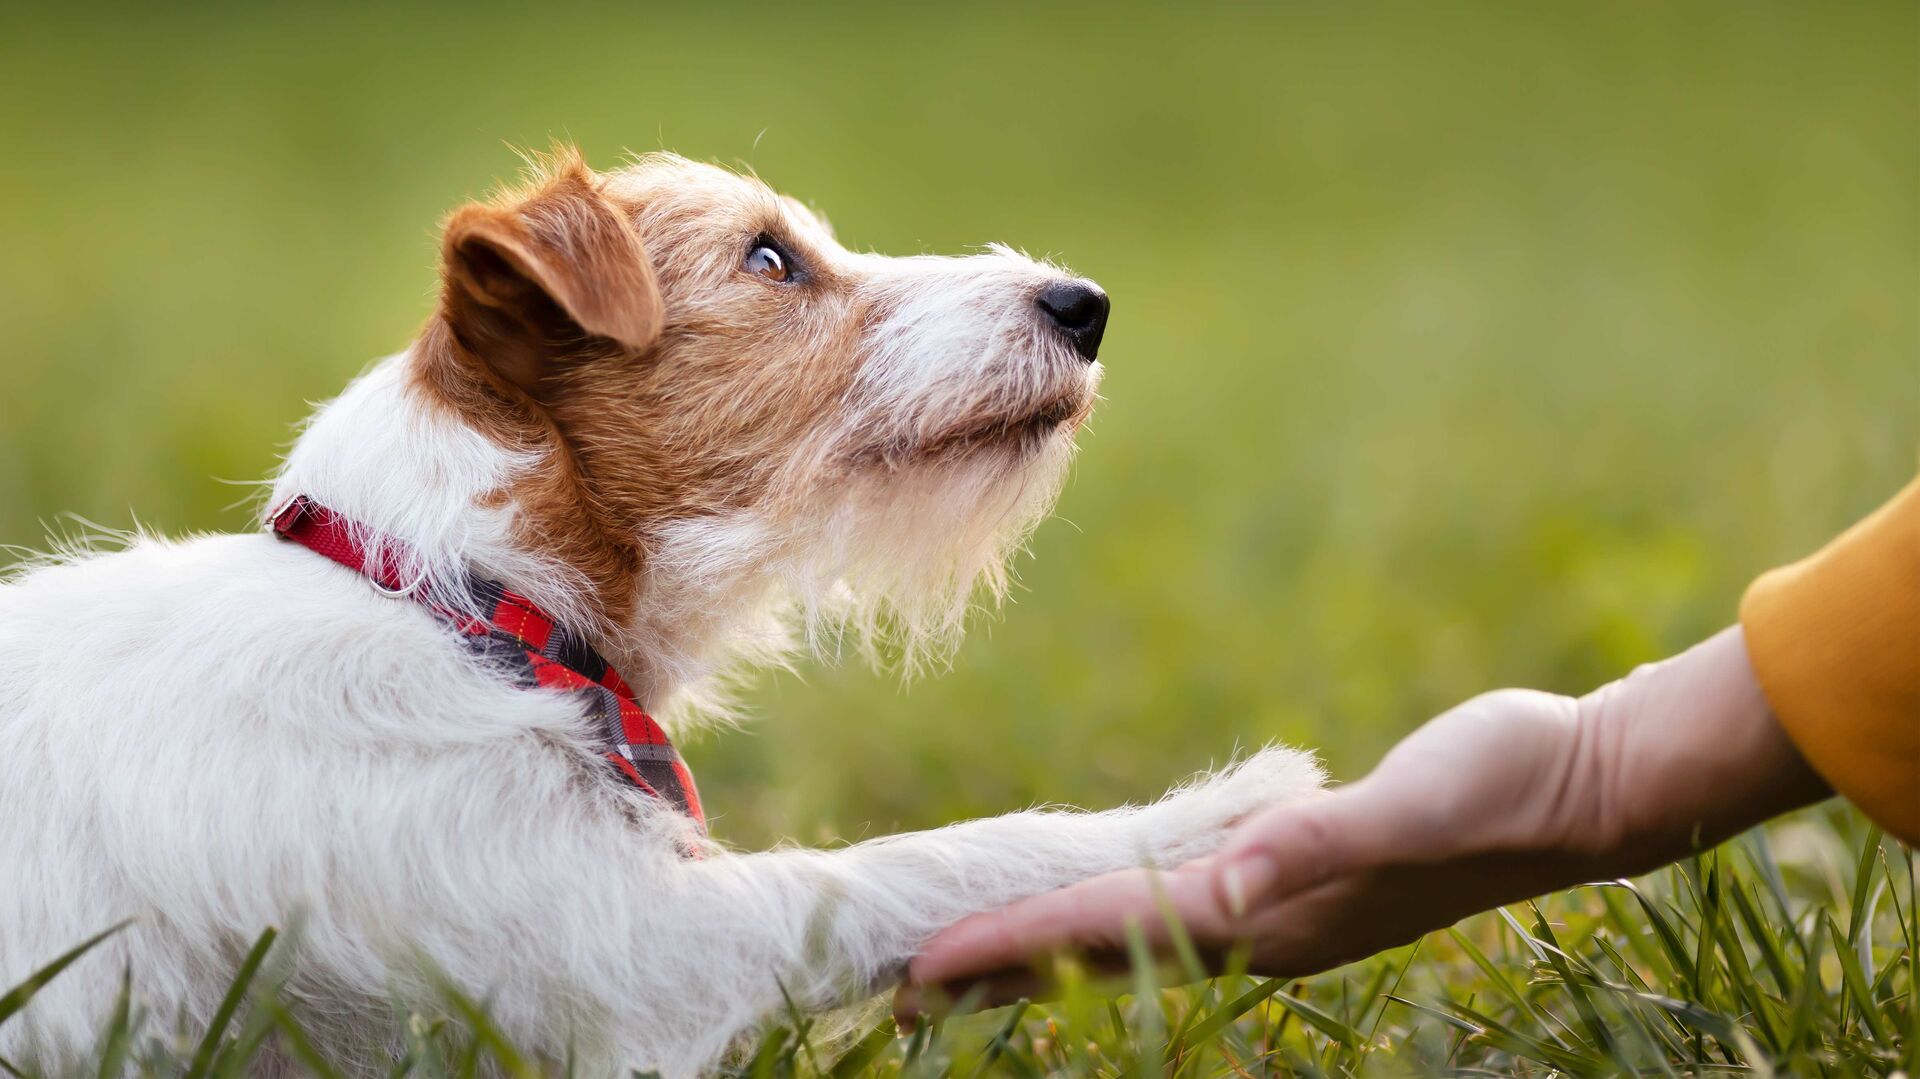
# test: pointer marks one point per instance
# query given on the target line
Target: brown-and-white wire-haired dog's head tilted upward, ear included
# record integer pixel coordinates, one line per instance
(721, 387)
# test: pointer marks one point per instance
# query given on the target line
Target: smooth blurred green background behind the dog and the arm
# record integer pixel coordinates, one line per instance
(1454, 347)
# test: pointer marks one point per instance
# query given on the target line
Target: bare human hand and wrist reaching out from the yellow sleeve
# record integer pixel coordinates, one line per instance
(1499, 800)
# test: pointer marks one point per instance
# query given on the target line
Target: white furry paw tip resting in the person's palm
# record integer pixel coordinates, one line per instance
(1193, 821)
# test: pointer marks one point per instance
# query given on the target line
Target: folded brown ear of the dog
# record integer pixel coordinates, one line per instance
(540, 277)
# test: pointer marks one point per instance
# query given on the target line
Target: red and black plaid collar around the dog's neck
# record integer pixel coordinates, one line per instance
(525, 644)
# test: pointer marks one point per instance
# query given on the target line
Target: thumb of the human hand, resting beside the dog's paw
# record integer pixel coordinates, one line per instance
(1299, 846)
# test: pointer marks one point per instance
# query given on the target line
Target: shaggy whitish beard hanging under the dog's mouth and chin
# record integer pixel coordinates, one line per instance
(886, 562)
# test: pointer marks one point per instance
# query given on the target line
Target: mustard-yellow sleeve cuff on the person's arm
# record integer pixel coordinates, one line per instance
(1836, 644)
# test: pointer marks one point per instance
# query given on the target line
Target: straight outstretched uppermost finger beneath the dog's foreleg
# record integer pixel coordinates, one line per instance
(1088, 917)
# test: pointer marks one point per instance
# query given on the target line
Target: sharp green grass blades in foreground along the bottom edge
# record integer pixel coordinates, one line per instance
(1737, 963)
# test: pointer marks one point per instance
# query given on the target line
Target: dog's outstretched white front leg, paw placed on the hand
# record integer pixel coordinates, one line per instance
(827, 926)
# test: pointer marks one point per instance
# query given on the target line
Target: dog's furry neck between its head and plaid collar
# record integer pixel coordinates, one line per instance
(418, 475)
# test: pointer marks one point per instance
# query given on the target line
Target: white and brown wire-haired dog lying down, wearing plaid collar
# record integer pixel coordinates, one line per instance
(661, 429)
